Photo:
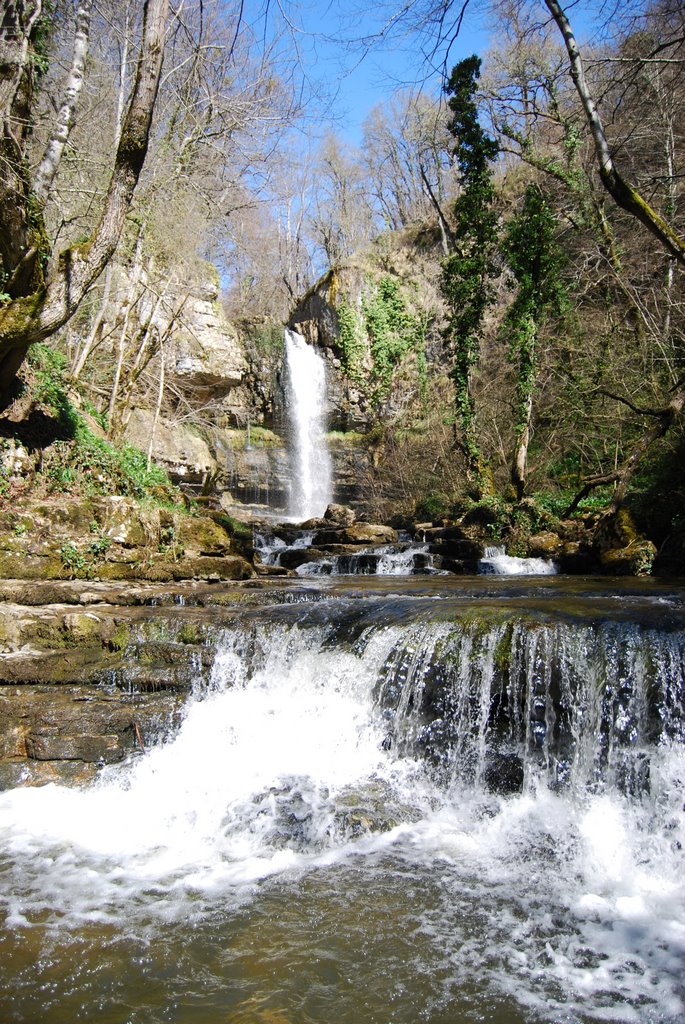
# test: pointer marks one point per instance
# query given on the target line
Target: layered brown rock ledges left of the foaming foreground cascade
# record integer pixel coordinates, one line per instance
(92, 674)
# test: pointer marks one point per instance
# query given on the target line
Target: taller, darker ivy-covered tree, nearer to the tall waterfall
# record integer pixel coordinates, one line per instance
(467, 273)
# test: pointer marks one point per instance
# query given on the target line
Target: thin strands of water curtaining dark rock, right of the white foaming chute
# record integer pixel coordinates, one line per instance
(513, 705)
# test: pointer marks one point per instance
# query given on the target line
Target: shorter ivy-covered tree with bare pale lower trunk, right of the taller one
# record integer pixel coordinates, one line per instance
(536, 261)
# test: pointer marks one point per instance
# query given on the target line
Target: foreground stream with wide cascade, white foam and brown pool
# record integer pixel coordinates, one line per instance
(396, 800)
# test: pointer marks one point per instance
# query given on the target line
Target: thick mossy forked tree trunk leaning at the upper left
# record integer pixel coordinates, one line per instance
(40, 298)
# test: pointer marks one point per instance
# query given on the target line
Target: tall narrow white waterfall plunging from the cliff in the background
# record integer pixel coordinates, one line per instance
(312, 479)
